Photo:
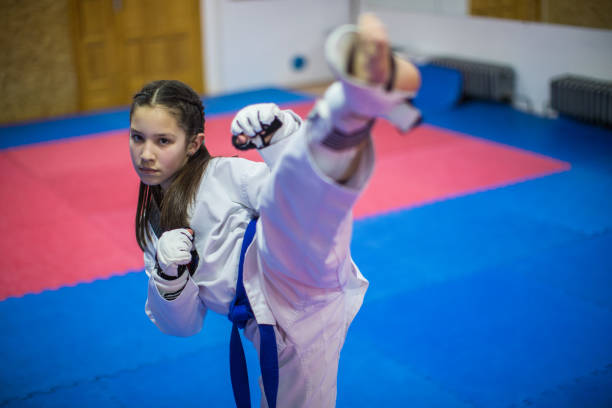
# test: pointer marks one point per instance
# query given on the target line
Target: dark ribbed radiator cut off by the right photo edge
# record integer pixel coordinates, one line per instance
(583, 98)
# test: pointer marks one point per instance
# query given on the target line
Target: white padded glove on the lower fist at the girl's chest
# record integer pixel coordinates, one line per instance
(174, 249)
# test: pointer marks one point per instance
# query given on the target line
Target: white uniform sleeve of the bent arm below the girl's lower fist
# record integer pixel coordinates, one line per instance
(180, 314)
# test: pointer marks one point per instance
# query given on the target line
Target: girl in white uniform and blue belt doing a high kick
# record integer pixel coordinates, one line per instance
(267, 244)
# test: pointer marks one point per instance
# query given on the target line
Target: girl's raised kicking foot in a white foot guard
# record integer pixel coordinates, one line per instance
(372, 82)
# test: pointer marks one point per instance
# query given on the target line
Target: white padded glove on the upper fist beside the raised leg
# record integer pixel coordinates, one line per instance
(264, 124)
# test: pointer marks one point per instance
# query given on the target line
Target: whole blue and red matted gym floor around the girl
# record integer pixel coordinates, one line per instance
(483, 234)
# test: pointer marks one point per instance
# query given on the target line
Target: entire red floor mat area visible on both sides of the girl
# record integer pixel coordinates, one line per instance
(69, 205)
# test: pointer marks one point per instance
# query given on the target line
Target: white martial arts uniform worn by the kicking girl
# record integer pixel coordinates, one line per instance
(298, 272)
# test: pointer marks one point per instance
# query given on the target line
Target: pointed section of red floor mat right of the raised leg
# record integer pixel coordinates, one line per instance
(432, 164)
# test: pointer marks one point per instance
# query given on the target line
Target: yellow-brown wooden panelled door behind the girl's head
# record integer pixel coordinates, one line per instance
(122, 44)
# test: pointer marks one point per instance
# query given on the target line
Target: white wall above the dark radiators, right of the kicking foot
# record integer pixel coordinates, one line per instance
(536, 51)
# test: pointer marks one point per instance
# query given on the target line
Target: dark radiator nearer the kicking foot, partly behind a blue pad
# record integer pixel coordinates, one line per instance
(481, 80)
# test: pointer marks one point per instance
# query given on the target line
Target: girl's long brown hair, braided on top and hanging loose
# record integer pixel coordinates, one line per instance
(169, 210)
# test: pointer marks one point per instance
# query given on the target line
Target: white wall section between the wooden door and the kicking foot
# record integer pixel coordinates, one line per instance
(252, 43)
